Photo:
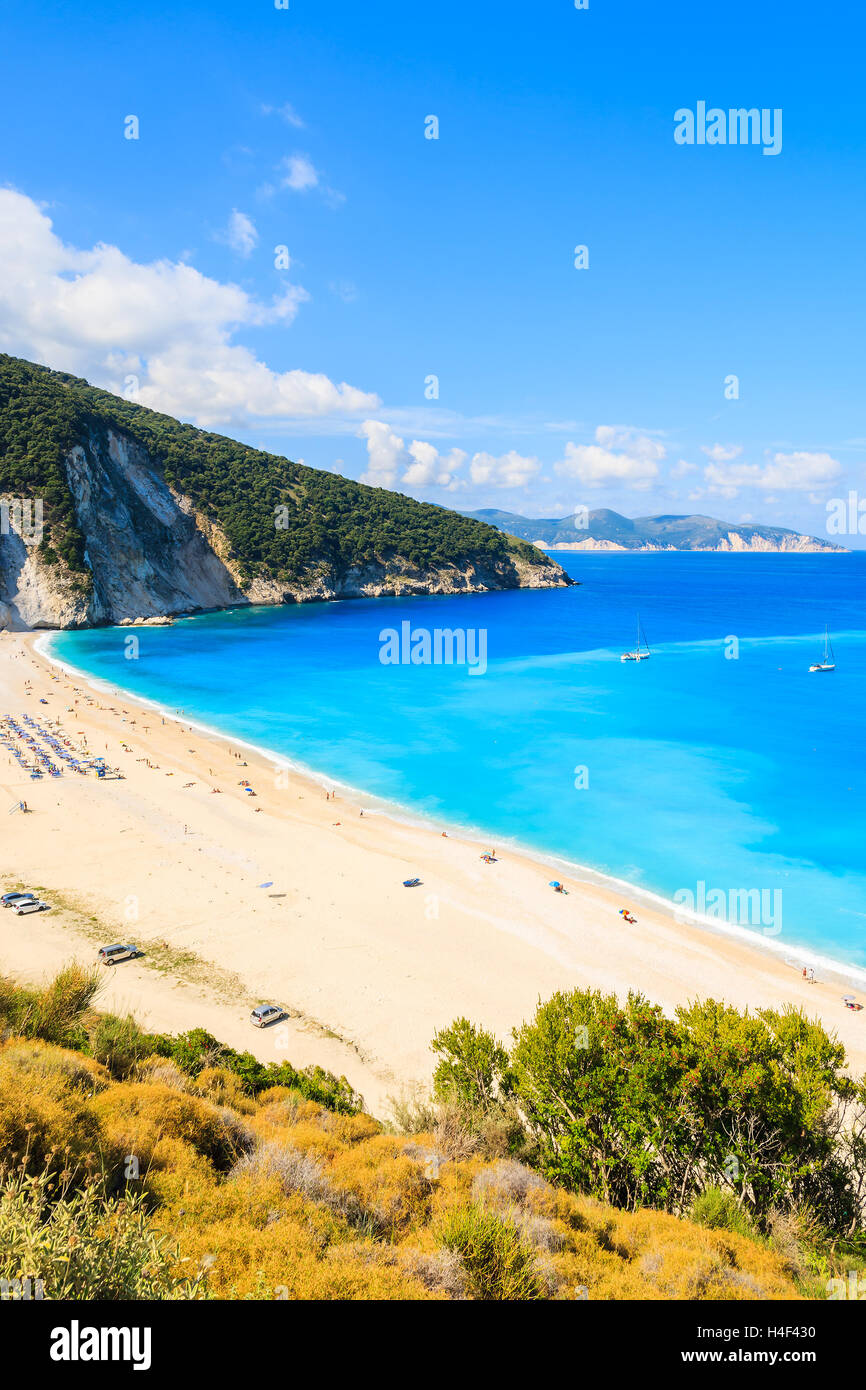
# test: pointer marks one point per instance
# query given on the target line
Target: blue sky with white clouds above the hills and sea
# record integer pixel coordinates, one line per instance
(149, 265)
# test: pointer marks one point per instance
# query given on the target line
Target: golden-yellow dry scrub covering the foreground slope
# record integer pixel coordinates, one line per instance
(280, 1199)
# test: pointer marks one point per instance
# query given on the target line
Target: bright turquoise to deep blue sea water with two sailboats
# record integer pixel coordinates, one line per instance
(717, 762)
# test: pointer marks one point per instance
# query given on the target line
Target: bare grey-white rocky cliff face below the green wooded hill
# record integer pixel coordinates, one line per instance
(151, 555)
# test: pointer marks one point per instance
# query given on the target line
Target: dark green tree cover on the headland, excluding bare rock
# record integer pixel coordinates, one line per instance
(329, 521)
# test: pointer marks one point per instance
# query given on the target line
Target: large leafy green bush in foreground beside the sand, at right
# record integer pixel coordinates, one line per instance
(642, 1110)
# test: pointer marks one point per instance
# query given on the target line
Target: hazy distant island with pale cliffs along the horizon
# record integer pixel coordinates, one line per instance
(605, 530)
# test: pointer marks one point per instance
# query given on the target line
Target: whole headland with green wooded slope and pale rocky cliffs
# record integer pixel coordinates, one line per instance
(145, 516)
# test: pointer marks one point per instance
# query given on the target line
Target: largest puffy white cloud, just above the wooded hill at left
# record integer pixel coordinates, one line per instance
(102, 316)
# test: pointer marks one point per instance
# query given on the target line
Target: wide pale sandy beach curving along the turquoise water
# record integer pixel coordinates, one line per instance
(294, 897)
